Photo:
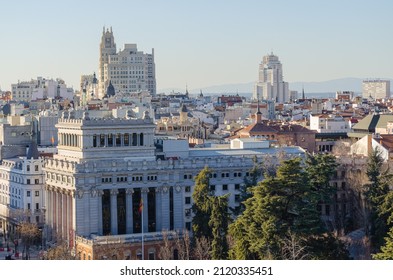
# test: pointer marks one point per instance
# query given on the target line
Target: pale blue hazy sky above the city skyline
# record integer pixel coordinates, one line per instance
(199, 43)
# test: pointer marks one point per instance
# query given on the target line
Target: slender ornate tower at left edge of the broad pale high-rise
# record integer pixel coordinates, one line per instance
(107, 48)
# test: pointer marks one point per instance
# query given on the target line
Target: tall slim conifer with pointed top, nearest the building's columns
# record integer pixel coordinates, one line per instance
(202, 206)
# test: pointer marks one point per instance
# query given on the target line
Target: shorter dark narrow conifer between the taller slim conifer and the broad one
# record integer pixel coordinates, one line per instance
(218, 222)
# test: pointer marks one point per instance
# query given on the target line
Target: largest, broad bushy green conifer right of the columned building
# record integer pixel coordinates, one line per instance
(278, 204)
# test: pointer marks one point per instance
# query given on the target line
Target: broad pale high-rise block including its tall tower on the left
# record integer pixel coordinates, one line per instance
(128, 70)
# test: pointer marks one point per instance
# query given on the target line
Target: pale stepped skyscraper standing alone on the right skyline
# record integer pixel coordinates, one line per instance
(270, 85)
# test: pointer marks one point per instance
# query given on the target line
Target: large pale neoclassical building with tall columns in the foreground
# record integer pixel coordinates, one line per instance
(105, 168)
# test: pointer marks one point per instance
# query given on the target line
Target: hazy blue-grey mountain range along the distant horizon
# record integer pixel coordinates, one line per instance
(330, 86)
